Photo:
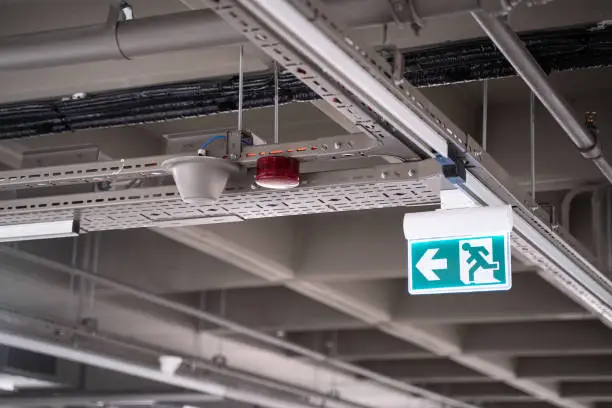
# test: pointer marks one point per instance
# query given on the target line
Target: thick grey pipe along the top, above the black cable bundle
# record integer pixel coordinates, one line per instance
(181, 31)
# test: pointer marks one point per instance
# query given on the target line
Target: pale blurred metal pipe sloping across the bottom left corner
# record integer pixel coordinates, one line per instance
(148, 373)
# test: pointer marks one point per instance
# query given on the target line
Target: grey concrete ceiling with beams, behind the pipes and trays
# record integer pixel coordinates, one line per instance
(332, 283)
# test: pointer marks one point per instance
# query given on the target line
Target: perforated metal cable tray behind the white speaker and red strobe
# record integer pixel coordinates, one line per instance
(393, 185)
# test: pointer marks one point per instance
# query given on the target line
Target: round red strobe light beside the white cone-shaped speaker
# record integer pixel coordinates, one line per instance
(278, 172)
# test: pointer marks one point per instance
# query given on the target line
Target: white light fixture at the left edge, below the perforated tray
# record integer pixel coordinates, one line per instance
(39, 230)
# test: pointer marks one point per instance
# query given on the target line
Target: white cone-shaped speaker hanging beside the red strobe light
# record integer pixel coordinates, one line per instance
(200, 179)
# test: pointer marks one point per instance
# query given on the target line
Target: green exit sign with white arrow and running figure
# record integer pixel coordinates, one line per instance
(464, 250)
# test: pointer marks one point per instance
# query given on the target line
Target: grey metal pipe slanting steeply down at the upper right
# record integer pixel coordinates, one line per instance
(527, 67)
